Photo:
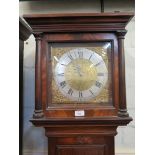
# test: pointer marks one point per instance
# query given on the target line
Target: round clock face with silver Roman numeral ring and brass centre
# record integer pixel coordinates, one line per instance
(80, 74)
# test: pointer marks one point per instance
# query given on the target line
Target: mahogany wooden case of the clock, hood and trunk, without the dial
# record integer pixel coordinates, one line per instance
(60, 123)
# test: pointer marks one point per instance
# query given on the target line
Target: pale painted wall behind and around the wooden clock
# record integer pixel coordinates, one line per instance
(34, 140)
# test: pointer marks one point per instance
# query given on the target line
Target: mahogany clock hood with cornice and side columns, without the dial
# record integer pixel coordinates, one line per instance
(50, 29)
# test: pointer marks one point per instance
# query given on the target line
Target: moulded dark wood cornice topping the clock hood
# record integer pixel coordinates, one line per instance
(86, 22)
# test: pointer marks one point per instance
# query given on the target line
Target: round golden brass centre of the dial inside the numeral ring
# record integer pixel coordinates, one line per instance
(80, 74)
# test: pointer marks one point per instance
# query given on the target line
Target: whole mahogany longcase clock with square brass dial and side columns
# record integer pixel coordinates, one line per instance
(80, 94)
